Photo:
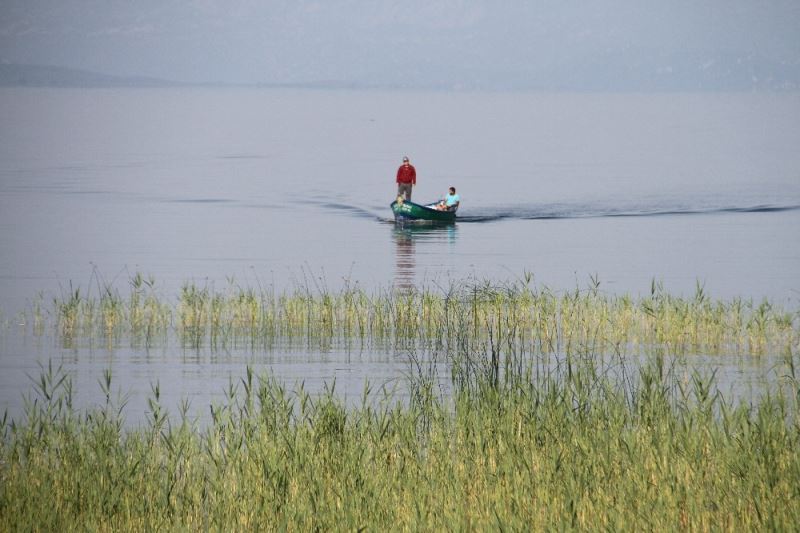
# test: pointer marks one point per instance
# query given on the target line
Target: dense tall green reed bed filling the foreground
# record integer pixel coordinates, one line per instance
(565, 449)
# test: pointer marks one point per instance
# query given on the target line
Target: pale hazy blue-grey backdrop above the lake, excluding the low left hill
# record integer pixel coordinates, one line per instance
(640, 44)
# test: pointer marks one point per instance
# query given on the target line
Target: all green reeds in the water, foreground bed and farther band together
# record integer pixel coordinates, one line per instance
(559, 410)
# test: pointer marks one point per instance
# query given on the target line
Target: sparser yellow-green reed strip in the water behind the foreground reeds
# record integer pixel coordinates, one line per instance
(535, 320)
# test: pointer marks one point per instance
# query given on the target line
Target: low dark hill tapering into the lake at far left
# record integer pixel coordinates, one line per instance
(16, 75)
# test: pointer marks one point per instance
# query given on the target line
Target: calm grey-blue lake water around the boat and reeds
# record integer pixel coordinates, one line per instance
(288, 187)
